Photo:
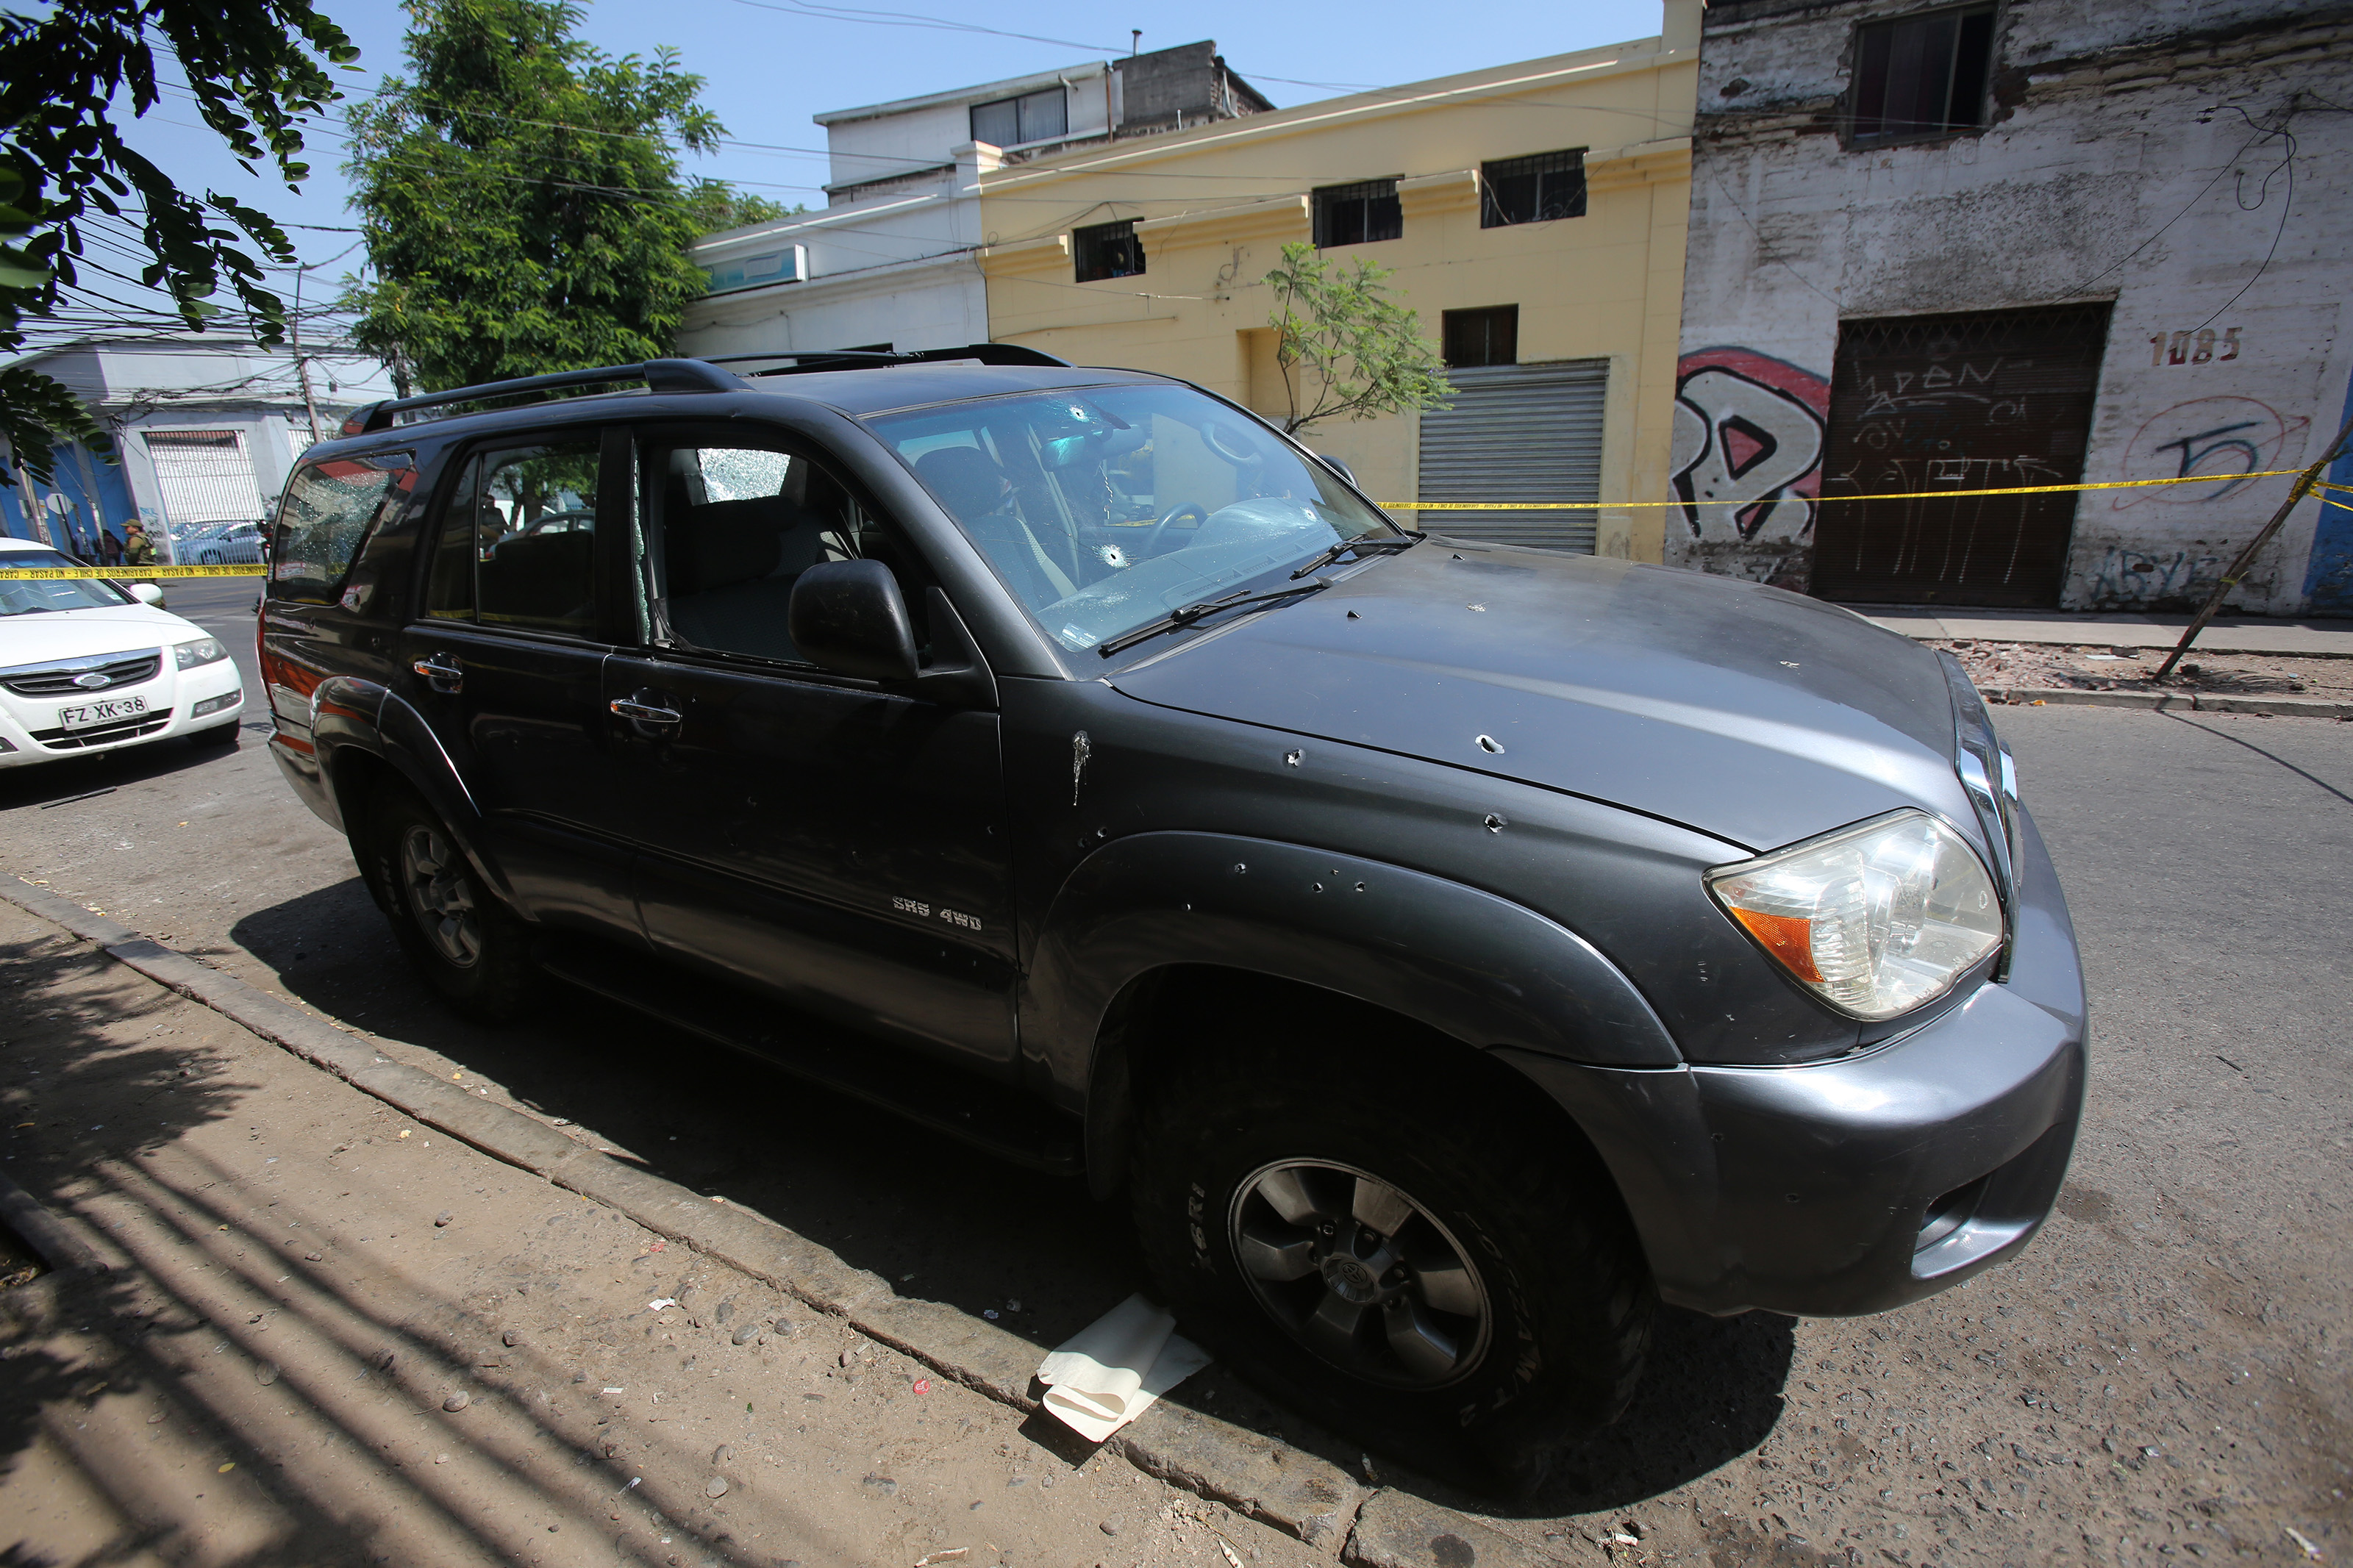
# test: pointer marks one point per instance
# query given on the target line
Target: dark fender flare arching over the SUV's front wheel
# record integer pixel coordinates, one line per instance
(1460, 960)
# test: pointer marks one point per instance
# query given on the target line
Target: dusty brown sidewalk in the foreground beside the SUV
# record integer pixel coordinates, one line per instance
(326, 1332)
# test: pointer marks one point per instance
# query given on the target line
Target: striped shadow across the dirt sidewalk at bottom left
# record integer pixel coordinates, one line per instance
(234, 1402)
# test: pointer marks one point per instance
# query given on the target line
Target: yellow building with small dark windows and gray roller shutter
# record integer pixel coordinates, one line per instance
(1531, 213)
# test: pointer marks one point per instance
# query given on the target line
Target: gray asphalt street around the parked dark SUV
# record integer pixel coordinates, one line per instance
(2159, 1376)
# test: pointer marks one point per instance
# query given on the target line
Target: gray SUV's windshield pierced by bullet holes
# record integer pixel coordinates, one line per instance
(1116, 507)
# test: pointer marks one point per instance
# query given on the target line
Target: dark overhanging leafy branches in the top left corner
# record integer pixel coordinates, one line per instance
(255, 69)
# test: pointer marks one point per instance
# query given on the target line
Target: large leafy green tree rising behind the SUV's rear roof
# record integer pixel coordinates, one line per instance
(524, 203)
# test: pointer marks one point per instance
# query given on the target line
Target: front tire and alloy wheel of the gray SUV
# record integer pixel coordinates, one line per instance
(1519, 1313)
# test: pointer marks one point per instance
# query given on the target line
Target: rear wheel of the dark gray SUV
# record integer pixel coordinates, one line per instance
(469, 946)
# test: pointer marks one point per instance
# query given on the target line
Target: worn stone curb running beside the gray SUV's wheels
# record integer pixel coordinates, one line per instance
(1272, 1482)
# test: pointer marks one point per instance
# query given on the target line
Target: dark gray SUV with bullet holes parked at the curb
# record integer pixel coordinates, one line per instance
(1448, 951)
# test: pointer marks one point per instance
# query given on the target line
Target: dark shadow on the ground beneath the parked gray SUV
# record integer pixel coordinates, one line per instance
(933, 1217)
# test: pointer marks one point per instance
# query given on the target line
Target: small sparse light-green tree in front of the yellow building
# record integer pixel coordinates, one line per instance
(1347, 349)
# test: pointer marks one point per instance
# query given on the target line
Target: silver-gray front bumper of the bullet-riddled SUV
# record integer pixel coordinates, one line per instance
(1869, 1181)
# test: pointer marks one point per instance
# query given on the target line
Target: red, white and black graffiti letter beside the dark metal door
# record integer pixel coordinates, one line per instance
(1749, 431)
